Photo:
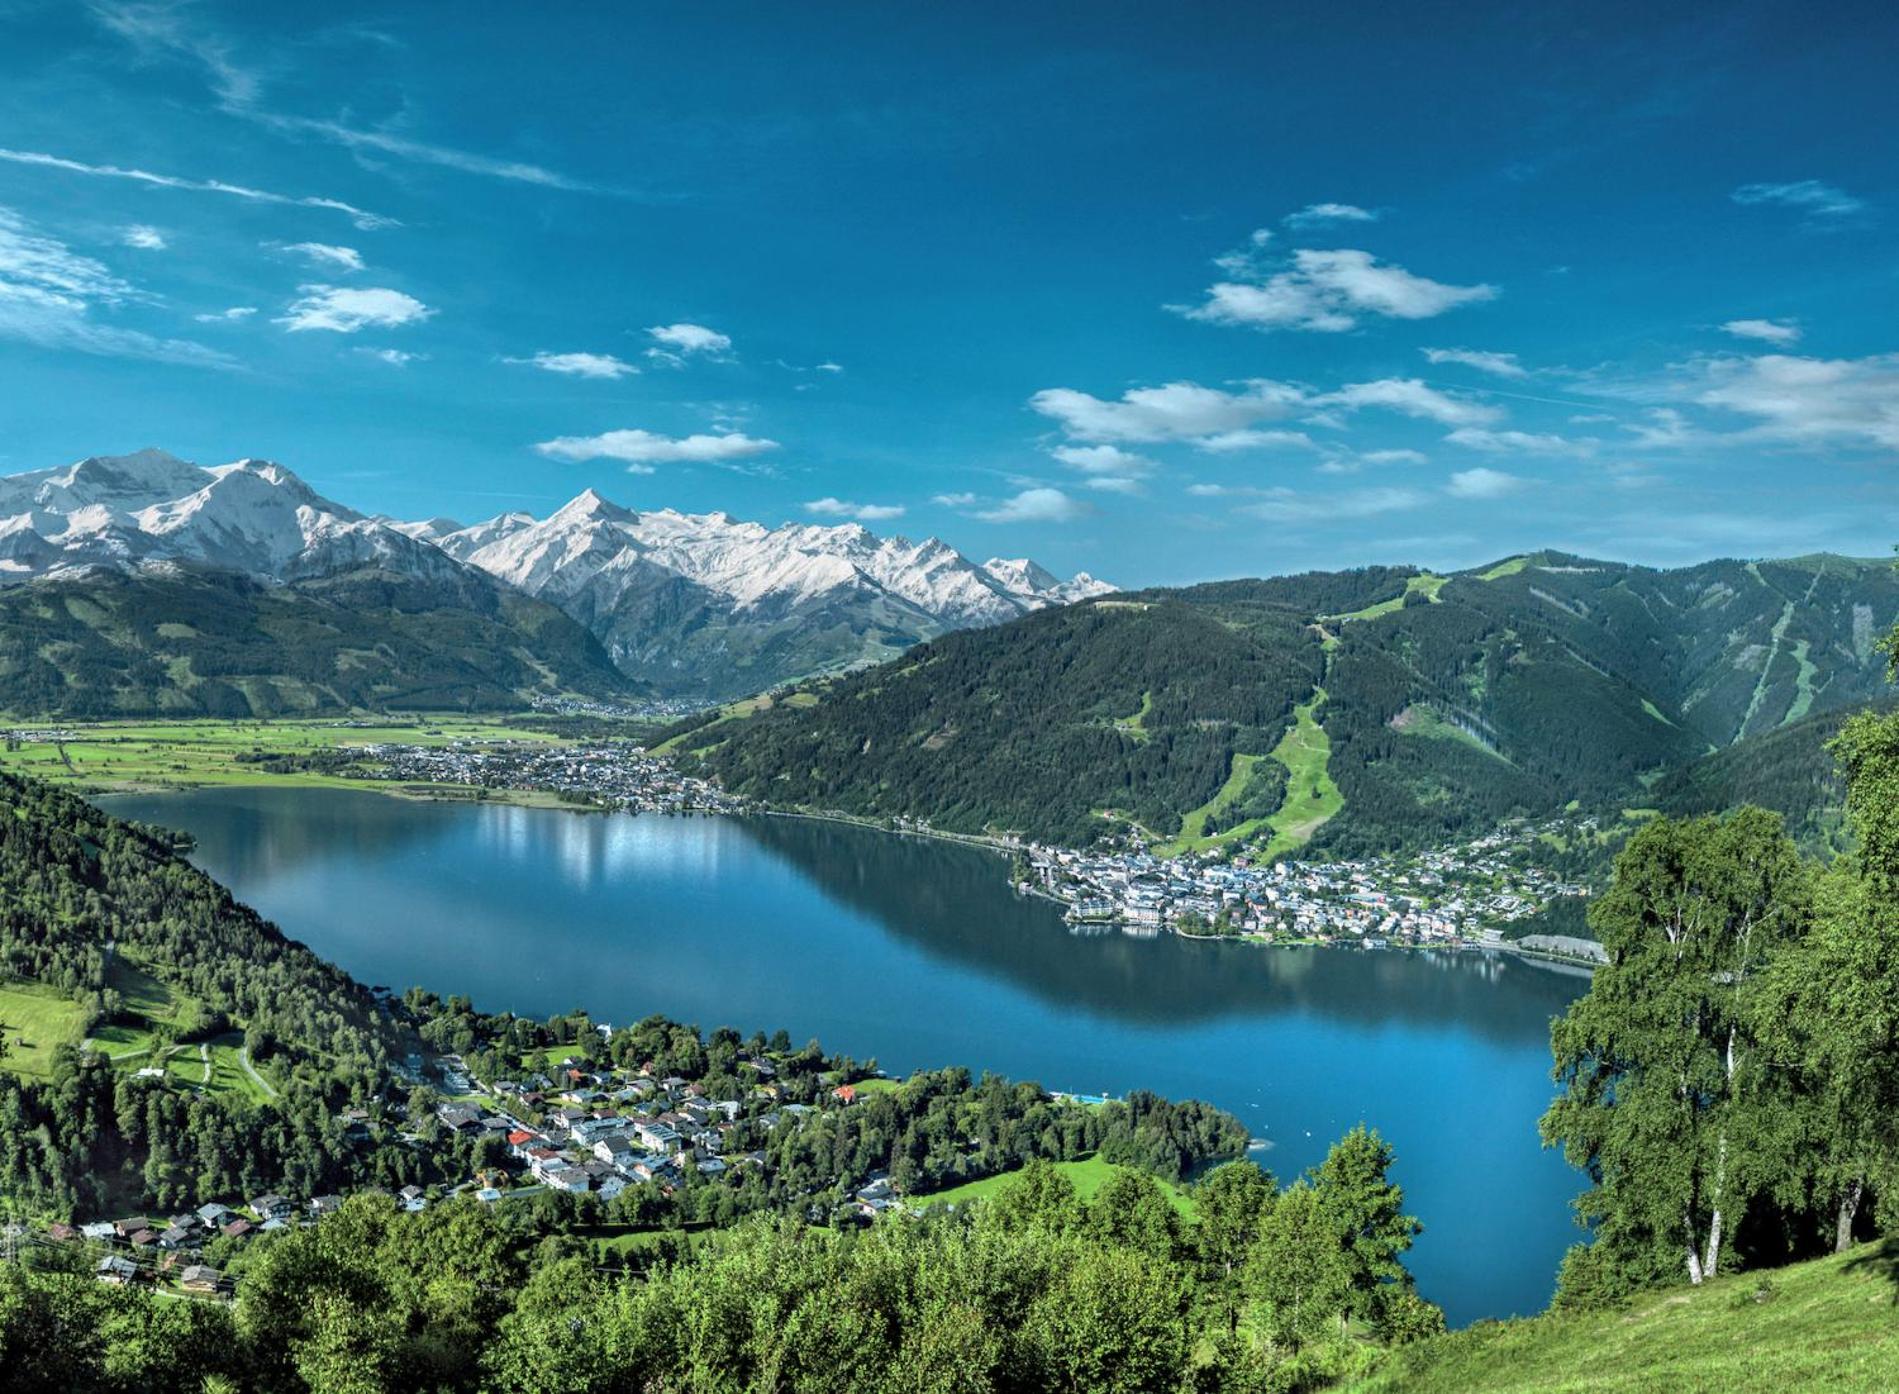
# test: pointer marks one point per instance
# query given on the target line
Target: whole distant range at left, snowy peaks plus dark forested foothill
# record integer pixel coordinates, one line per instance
(675, 605)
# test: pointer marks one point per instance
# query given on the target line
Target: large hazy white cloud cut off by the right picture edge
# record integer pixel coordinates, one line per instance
(1809, 402)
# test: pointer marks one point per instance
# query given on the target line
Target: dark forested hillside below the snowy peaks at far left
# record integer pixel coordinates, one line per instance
(225, 645)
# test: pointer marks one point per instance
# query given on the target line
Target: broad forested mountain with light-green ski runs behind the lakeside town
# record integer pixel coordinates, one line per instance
(1440, 704)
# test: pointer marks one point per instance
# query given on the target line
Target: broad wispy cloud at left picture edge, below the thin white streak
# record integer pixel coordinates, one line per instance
(48, 295)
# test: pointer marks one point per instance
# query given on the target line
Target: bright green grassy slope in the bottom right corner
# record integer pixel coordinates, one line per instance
(1828, 1325)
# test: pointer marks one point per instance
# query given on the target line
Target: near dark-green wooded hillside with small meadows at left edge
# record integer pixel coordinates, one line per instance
(100, 913)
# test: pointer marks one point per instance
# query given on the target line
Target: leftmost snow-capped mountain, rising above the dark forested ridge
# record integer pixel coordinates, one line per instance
(151, 508)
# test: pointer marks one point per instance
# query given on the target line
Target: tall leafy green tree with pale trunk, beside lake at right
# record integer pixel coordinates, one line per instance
(1668, 1101)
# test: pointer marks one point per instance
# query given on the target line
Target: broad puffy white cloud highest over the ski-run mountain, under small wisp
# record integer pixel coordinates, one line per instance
(1330, 292)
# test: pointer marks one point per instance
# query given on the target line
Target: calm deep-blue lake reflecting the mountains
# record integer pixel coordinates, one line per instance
(920, 954)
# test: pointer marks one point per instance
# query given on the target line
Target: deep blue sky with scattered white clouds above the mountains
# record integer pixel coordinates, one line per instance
(1157, 292)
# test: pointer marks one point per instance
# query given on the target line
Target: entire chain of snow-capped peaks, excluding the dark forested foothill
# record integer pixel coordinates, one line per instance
(700, 605)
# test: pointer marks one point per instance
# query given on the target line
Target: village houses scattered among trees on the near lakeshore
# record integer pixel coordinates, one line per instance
(626, 1152)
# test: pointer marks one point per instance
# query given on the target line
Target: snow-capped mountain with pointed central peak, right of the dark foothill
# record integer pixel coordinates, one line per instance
(715, 607)
